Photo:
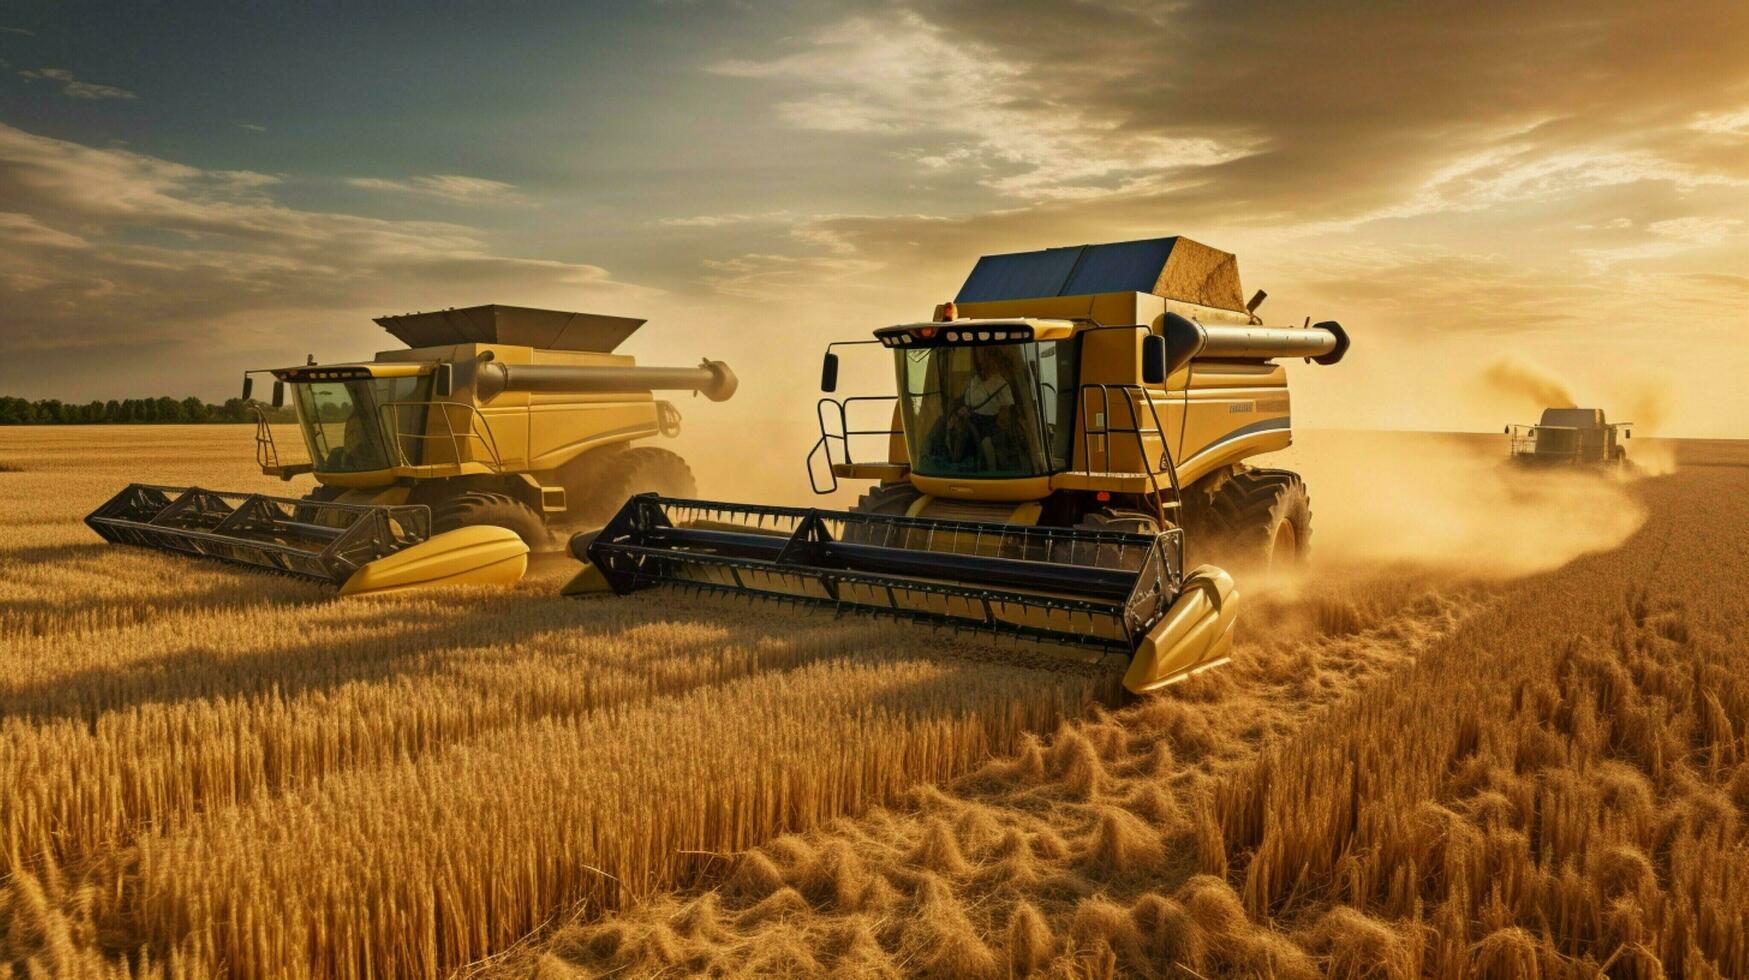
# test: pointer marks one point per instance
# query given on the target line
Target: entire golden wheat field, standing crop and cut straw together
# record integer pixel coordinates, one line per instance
(1412, 767)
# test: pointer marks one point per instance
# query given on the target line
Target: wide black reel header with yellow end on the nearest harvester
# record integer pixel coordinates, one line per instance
(1096, 592)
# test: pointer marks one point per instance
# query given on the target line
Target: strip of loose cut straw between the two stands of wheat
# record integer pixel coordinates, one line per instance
(1073, 857)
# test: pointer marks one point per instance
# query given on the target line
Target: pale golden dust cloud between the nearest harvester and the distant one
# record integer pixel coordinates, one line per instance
(1451, 501)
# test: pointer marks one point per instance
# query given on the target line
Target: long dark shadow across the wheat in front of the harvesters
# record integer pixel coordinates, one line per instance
(393, 640)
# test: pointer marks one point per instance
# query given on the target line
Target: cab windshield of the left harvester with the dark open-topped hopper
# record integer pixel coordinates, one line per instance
(344, 423)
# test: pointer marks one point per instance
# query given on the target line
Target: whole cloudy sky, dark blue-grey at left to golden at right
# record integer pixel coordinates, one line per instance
(192, 190)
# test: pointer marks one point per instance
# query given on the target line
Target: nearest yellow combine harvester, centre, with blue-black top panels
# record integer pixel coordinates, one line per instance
(1057, 430)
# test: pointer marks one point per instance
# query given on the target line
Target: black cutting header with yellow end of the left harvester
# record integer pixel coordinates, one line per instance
(359, 549)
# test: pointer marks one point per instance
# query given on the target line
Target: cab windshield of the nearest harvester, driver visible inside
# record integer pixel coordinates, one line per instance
(994, 412)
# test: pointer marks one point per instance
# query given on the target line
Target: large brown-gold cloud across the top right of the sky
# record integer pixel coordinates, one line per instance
(1274, 111)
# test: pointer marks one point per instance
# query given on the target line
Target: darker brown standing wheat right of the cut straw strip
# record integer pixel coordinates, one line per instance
(1564, 785)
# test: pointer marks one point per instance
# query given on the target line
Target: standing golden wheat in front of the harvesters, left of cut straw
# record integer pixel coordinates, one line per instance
(258, 780)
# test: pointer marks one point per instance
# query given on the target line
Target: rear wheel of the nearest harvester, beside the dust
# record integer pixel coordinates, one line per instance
(1260, 517)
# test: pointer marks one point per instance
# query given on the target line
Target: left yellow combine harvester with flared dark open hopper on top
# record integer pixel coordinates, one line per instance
(443, 463)
